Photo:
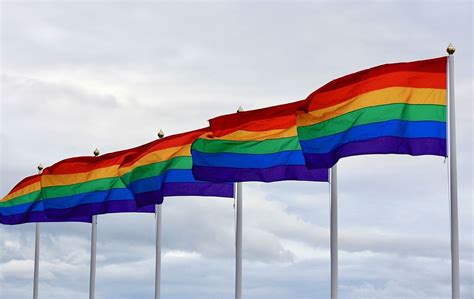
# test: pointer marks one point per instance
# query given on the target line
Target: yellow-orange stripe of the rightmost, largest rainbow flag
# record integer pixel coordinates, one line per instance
(384, 96)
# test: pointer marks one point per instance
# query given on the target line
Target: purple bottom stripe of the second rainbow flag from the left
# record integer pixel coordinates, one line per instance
(114, 206)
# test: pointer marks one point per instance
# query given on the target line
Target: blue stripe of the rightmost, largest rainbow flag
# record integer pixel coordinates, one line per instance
(391, 128)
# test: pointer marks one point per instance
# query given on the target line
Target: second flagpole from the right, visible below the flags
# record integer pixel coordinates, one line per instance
(333, 229)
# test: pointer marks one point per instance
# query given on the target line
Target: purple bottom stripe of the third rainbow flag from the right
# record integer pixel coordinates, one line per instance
(199, 189)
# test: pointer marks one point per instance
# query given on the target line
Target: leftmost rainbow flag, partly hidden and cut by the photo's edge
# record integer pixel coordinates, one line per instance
(23, 204)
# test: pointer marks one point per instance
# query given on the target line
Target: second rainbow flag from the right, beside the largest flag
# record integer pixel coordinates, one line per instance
(259, 145)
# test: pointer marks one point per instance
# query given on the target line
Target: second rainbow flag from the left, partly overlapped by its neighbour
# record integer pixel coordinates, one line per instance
(86, 186)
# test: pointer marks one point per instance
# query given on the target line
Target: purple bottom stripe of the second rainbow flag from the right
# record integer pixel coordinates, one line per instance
(273, 174)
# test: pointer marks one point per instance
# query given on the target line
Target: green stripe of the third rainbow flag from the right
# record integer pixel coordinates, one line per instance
(156, 169)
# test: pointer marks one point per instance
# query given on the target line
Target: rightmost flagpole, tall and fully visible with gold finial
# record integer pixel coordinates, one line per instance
(453, 178)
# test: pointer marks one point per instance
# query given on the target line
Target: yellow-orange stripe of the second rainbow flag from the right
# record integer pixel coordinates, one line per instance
(242, 135)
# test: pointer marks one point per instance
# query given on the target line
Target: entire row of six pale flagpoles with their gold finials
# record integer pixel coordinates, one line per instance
(453, 195)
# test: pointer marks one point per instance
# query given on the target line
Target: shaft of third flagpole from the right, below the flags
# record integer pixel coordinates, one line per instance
(238, 244)
